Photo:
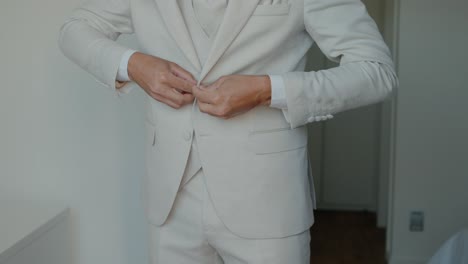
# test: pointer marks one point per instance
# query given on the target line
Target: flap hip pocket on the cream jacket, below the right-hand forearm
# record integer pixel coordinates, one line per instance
(280, 140)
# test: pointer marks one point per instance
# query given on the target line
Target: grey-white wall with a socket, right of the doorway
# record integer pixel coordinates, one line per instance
(431, 172)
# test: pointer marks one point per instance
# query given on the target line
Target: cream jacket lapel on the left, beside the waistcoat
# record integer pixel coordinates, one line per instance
(175, 23)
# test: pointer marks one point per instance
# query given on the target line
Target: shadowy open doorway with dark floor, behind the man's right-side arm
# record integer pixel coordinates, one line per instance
(351, 163)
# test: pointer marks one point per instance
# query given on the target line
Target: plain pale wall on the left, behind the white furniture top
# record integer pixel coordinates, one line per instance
(65, 138)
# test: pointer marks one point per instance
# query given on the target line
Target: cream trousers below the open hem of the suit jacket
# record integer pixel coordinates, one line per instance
(194, 234)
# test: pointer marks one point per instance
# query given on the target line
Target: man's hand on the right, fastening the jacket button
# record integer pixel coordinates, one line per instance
(233, 95)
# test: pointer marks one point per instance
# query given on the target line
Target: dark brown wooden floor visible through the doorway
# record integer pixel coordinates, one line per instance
(347, 238)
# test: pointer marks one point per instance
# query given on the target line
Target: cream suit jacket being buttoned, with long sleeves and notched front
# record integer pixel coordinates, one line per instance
(255, 164)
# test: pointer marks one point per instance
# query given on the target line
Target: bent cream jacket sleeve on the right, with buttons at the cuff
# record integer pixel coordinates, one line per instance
(346, 34)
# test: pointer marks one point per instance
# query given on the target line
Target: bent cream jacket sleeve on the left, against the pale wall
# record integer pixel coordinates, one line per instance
(88, 38)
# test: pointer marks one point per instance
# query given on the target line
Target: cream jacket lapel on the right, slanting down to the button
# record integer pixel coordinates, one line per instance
(236, 16)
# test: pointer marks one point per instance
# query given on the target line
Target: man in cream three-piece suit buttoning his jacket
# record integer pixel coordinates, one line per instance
(228, 101)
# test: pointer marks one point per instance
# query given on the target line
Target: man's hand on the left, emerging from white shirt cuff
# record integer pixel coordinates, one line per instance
(163, 80)
